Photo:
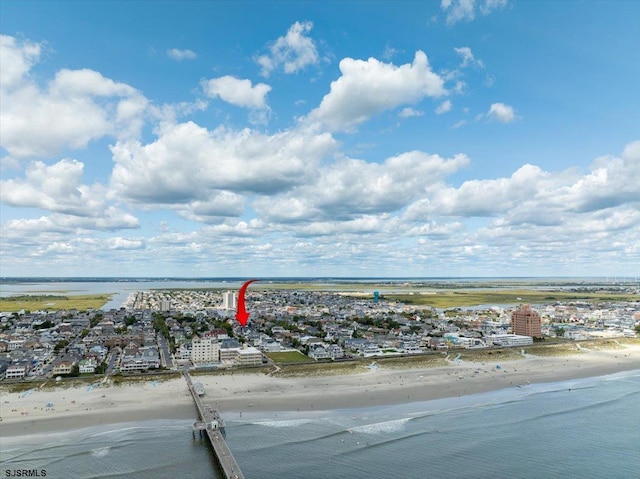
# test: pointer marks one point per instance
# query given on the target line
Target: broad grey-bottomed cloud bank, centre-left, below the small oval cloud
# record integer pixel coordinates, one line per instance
(187, 162)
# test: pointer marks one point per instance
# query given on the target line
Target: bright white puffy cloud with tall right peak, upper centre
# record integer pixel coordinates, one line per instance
(366, 88)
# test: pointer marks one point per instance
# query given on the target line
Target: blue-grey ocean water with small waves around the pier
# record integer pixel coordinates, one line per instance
(583, 428)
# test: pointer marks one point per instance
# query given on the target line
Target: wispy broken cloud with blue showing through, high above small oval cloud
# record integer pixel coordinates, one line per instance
(292, 52)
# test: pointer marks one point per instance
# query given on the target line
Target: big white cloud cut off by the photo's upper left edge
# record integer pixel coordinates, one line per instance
(77, 106)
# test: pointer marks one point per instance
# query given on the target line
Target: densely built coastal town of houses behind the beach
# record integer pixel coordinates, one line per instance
(188, 329)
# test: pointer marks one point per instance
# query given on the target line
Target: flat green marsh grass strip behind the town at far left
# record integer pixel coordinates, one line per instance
(53, 302)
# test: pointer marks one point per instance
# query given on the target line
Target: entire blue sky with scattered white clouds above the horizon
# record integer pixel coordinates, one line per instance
(305, 138)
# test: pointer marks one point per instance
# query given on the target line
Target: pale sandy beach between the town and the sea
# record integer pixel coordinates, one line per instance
(58, 409)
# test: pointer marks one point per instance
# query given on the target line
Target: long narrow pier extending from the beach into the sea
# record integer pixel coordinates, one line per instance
(211, 423)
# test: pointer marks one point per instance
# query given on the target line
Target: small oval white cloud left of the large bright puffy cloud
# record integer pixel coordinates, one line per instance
(237, 92)
